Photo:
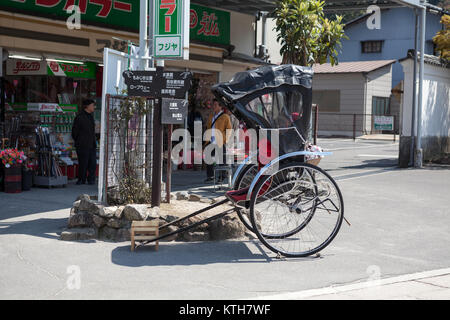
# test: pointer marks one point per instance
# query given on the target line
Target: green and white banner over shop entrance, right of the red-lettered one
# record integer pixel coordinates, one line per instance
(86, 70)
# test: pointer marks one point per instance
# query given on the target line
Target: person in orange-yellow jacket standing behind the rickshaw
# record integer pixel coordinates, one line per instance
(220, 121)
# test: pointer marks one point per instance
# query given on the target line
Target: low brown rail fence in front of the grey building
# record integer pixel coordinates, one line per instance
(353, 124)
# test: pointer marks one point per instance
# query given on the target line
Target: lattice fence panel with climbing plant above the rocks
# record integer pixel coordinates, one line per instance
(128, 150)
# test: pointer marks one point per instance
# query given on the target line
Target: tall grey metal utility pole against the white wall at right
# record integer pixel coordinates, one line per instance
(419, 155)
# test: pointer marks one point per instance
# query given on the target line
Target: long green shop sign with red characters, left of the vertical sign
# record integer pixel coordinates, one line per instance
(123, 14)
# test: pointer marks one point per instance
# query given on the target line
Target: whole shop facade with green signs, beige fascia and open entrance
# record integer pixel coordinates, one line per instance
(49, 68)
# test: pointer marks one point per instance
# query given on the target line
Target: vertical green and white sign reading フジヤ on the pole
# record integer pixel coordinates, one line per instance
(170, 29)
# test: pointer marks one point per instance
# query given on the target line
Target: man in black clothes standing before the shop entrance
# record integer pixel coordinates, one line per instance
(83, 133)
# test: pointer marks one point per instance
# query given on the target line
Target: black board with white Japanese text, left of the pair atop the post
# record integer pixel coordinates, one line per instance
(142, 83)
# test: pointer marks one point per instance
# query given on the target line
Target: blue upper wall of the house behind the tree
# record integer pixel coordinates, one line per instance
(397, 32)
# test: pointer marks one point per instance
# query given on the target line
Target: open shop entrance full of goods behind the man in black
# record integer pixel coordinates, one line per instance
(47, 94)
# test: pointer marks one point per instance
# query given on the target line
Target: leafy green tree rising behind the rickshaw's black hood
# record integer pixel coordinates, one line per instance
(305, 34)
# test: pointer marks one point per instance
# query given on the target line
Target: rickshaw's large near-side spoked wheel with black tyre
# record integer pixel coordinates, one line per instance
(301, 212)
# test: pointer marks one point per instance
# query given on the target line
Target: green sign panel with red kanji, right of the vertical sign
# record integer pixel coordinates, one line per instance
(209, 25)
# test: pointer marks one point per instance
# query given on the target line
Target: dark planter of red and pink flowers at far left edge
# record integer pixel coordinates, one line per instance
(12, 160)
